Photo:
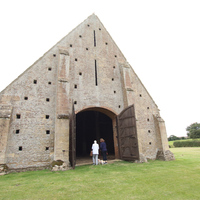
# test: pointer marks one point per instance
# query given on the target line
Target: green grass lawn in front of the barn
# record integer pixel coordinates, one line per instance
(179, 179)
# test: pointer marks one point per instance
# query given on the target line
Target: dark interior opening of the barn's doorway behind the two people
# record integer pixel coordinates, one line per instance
(90, 126)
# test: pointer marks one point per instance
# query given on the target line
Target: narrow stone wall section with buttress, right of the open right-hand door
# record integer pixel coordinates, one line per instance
(149, 137)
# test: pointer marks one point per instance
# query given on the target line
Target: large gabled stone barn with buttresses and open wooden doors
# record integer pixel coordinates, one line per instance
(82, 89)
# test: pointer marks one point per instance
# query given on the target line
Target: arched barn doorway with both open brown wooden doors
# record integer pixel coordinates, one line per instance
(93, 123)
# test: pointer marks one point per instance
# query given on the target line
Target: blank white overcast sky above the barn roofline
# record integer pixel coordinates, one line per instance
(160, 39)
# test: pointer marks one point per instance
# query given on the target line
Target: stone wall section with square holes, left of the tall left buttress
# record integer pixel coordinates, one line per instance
(32, 96)
